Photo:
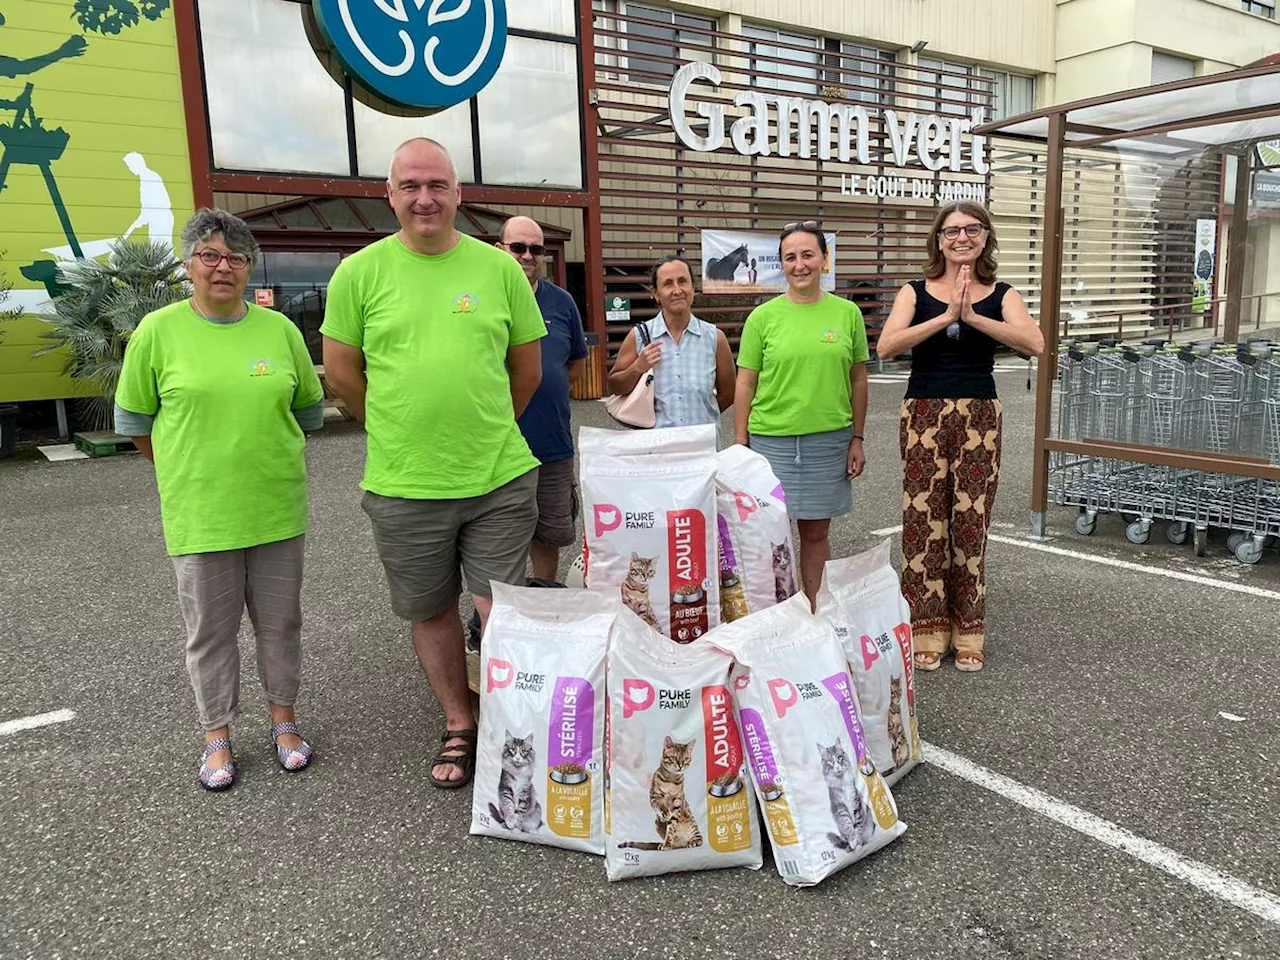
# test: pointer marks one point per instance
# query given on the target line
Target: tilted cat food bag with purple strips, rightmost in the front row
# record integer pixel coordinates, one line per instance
(825, 803)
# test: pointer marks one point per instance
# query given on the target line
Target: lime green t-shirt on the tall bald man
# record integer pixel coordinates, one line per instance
(436, 332)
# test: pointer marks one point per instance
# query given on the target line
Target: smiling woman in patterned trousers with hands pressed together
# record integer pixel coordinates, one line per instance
(954, 321)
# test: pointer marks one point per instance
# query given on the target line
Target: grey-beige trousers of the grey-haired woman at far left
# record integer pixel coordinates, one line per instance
(214, 589)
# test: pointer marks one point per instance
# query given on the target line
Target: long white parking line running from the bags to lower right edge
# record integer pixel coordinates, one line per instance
(1201, 876)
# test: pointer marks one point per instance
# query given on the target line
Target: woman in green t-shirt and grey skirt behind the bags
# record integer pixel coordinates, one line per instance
(802, 395)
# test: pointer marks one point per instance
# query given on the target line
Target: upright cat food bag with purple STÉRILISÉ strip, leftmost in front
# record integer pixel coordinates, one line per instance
(540, 771)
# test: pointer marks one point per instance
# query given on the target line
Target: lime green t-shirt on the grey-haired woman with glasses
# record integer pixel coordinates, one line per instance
(228, 451)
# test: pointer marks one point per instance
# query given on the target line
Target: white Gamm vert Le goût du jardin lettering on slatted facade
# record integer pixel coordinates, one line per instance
(789, 126)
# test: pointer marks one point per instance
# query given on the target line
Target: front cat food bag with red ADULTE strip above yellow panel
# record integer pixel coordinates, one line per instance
(676, 796)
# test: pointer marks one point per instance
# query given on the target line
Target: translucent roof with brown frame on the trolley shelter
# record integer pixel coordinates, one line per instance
(1183, 117)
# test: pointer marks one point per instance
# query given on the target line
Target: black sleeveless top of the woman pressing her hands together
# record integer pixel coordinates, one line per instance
(945, 368)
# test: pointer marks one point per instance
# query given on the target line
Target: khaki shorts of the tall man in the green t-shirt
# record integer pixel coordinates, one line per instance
(423, 545)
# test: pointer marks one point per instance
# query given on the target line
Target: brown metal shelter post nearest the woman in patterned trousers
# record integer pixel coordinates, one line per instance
(1052, 296)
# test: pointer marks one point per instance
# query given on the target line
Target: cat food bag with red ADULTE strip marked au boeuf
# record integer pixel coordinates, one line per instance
(650, 524)
